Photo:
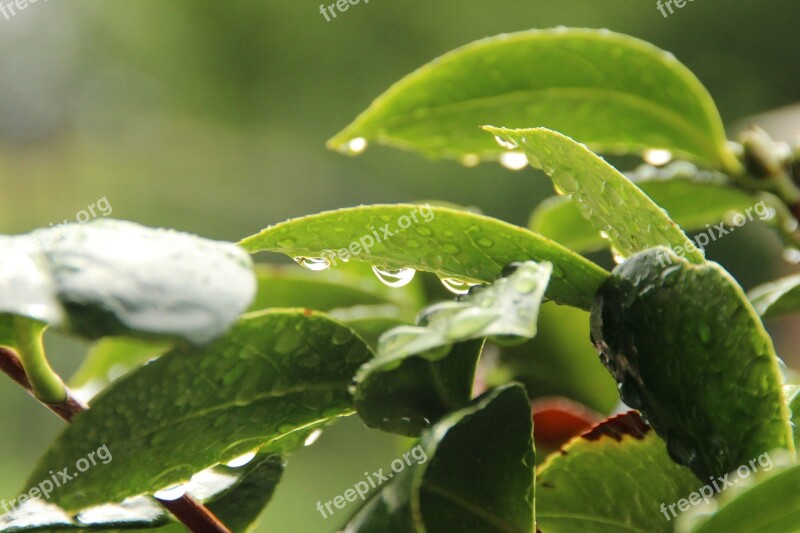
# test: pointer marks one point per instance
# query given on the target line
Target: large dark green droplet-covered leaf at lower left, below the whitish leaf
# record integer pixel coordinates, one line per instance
(264, 386)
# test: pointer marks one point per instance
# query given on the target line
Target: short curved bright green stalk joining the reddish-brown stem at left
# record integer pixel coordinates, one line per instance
(45, 383)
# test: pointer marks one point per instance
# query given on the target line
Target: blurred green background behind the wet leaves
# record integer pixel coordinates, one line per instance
(211, 117)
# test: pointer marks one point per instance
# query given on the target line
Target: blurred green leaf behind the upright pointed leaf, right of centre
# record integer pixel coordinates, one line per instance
(691, 204)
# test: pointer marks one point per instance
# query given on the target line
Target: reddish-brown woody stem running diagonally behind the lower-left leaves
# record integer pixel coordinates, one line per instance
(192, 514)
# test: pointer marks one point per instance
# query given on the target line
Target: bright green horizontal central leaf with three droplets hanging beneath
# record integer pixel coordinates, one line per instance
(448, 242)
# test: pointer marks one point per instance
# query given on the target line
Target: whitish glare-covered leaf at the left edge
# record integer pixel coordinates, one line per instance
(111, 277)
